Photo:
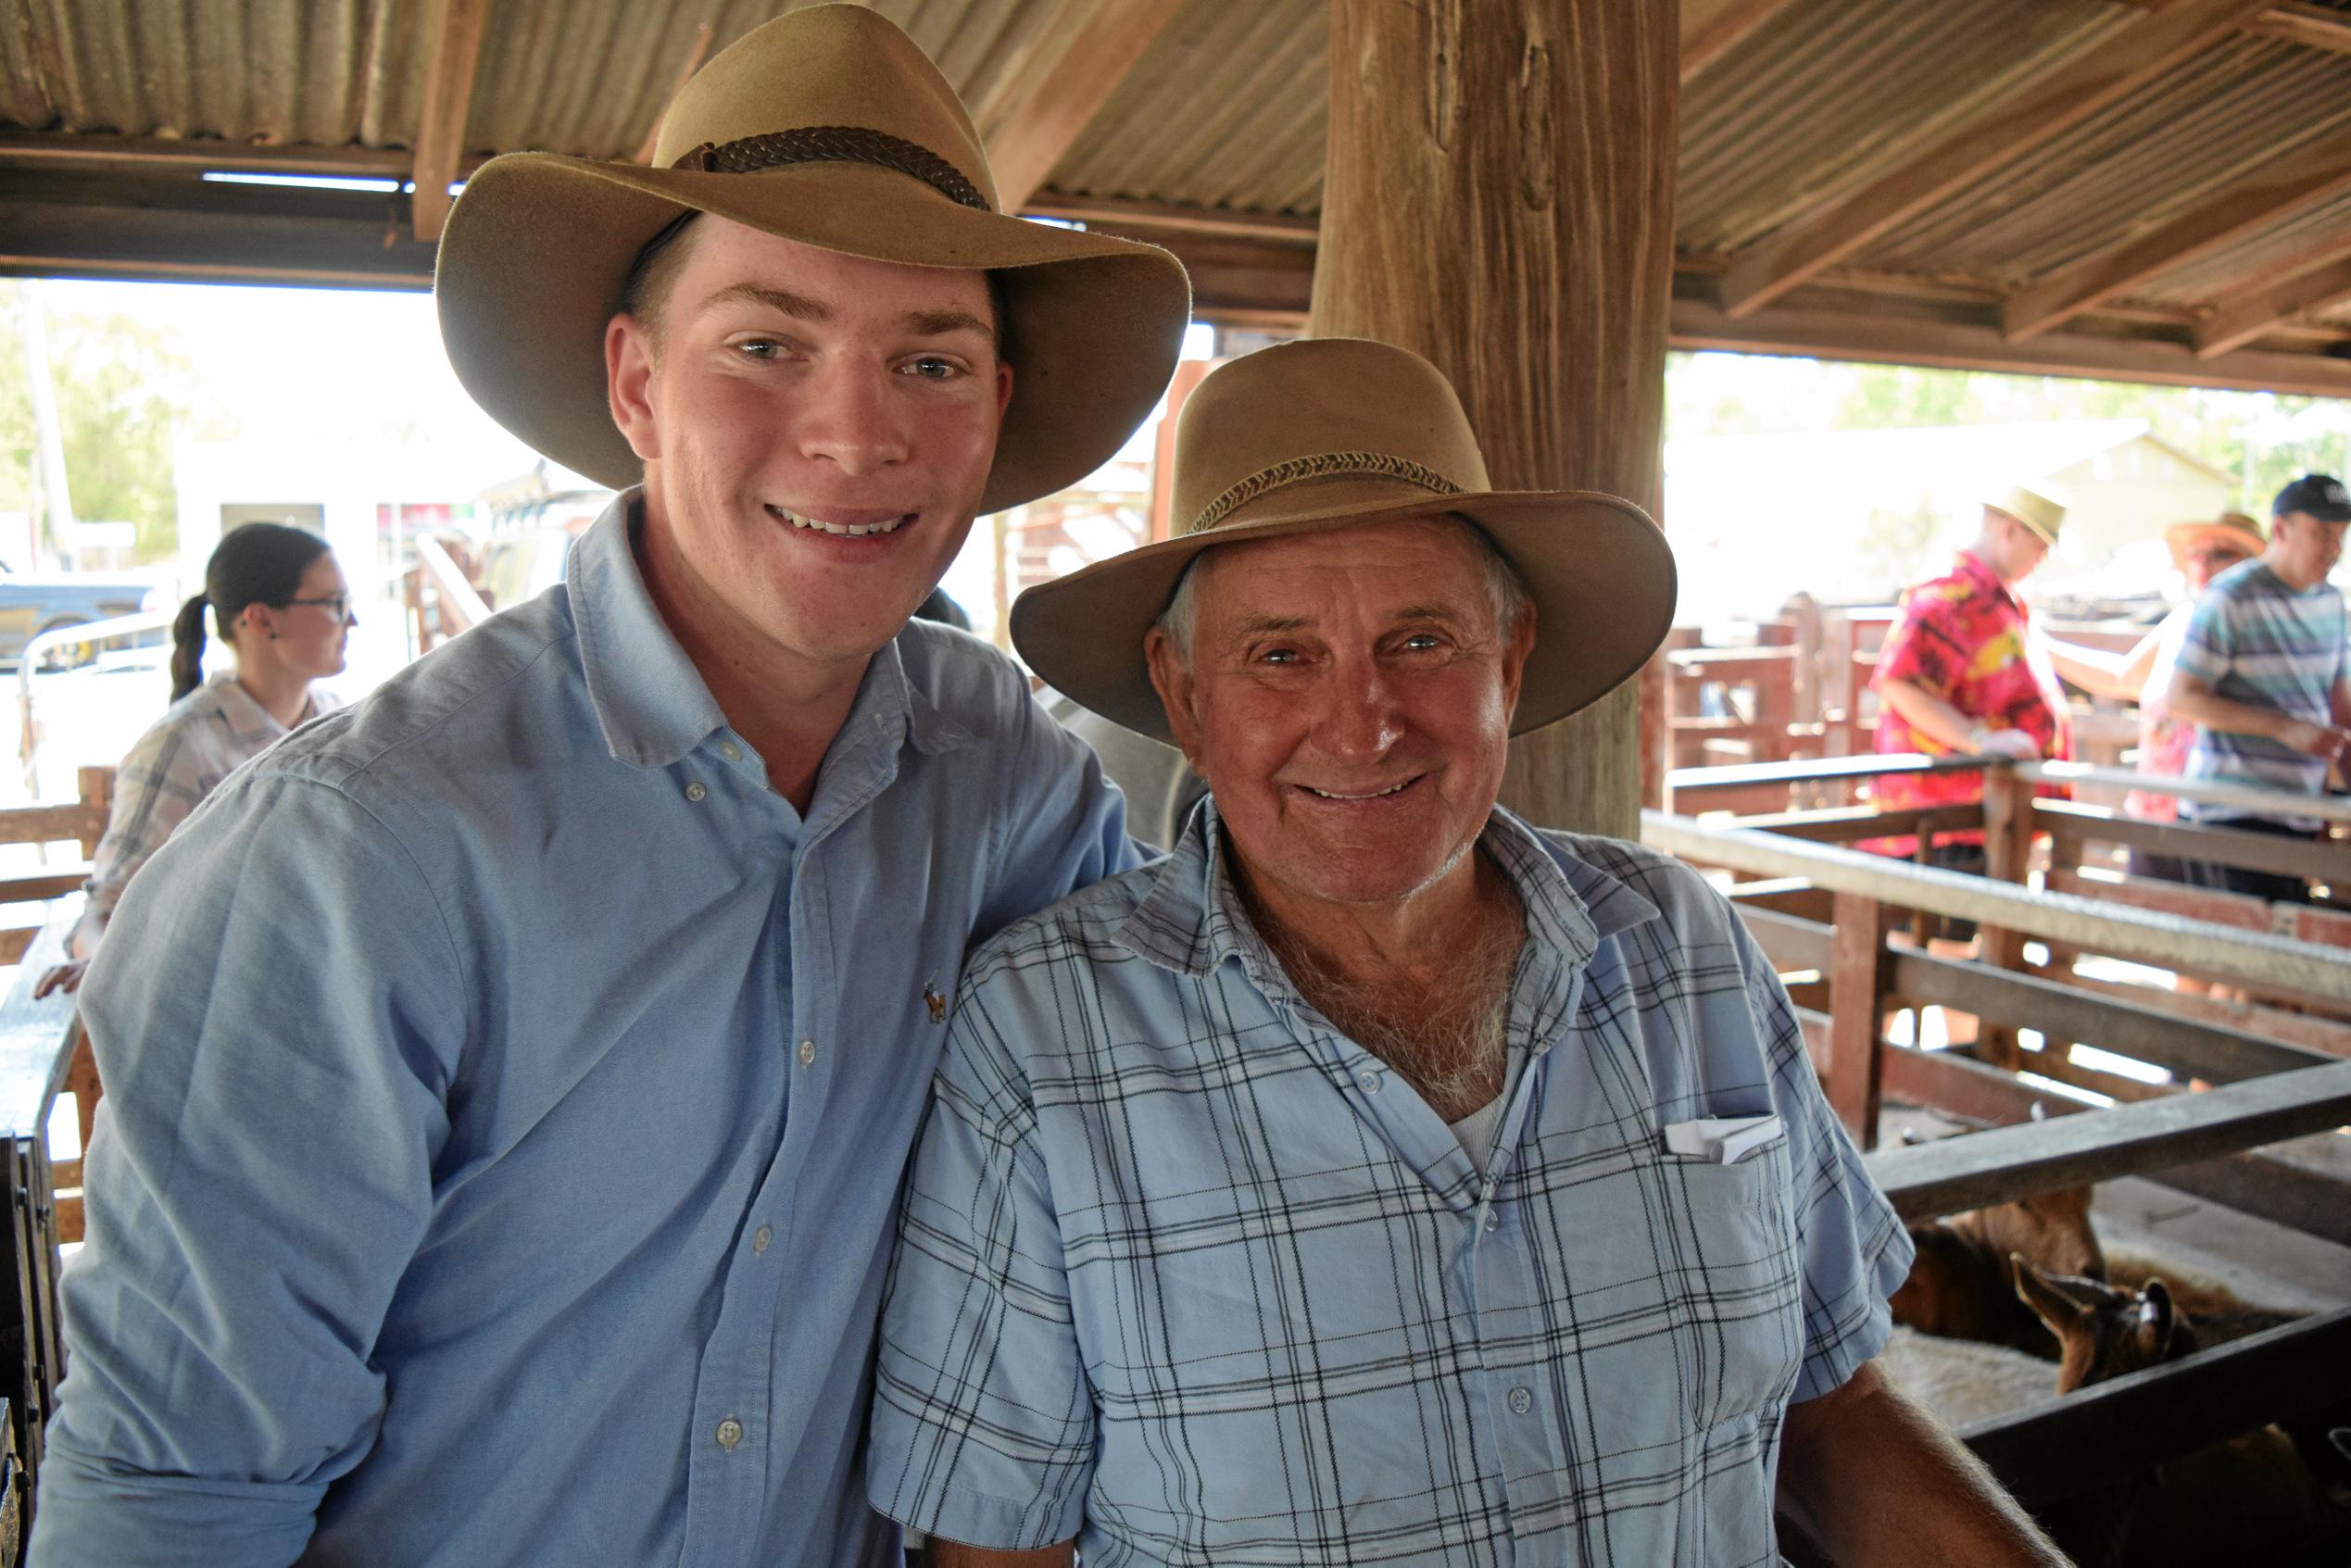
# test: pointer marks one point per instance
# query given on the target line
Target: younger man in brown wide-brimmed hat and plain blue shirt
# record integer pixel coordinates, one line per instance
(509, 1083)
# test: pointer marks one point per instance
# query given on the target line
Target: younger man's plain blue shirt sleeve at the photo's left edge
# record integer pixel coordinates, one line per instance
(276, 1057)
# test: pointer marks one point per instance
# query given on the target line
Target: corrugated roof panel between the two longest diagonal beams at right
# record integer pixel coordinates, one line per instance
(2131, 168)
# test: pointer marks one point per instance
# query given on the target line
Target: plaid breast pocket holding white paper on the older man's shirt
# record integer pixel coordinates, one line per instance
(1736, 1280)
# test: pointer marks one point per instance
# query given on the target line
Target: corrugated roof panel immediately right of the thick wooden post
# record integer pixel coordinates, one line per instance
(1767, 142)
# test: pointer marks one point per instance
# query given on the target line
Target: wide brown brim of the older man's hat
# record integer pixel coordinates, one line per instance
(1598, 570)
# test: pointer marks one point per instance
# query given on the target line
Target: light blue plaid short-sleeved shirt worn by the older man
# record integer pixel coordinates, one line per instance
(1195, 1280)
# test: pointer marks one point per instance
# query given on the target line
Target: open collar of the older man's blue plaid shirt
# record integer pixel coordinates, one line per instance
(1193, 920)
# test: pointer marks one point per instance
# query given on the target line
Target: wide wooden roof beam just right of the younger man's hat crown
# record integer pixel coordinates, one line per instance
(1045, 102)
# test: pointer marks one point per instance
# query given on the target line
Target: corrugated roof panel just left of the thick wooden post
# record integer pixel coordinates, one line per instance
(1226, 109)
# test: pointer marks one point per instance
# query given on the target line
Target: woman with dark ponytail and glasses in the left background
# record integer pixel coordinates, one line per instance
(283, 612)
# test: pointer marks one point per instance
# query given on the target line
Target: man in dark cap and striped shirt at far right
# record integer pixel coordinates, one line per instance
(2263, 676)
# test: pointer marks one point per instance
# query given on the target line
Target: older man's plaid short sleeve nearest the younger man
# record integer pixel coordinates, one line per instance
(984, 1419)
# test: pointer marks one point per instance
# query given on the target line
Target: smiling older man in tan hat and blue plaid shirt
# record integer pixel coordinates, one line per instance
(1379, 1179)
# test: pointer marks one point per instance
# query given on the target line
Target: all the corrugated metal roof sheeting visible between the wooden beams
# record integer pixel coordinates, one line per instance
(1226, 112)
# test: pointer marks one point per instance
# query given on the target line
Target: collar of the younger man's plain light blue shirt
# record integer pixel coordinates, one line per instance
(652, 702)
